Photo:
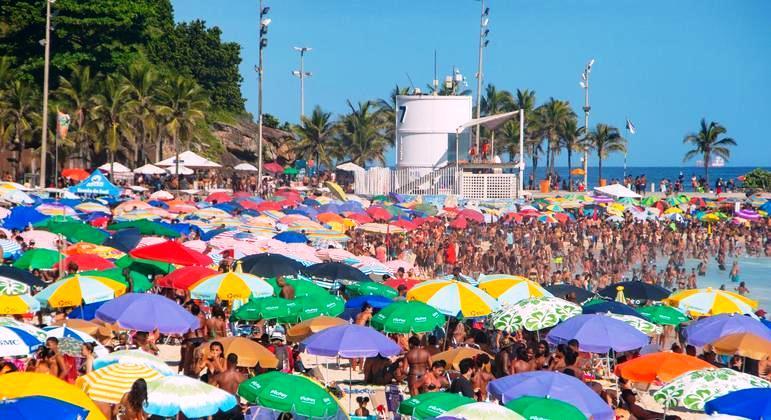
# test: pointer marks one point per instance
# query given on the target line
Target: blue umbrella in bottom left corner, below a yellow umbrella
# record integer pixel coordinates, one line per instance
(40, 408)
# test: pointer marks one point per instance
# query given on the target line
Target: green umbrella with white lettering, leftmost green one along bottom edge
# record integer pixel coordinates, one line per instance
(295, 394)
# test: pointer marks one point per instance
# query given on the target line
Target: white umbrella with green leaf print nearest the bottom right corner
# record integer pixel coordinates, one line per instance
(693, 389)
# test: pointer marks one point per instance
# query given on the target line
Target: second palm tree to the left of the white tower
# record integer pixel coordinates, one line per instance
(315, 135)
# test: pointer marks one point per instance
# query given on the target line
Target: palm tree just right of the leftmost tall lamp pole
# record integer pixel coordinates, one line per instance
(78, 96)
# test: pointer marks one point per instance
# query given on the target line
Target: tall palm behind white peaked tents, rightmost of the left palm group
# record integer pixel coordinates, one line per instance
(183, 107)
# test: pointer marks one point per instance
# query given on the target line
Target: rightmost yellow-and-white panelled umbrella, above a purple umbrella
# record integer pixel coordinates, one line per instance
(711, 301)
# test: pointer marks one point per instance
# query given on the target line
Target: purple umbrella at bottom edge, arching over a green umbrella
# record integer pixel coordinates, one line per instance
(552, 385)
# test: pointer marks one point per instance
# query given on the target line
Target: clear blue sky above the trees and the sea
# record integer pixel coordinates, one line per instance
(662, 63)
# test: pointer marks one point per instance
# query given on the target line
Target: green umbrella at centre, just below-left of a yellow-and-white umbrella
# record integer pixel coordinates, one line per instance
(407, 318)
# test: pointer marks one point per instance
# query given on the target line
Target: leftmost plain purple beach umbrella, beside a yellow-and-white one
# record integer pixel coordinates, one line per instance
(148, 312)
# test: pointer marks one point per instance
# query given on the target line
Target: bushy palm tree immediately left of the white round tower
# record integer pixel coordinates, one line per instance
(362, 137)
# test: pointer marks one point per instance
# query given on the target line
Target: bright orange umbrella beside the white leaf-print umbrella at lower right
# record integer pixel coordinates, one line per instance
(662, 366)
